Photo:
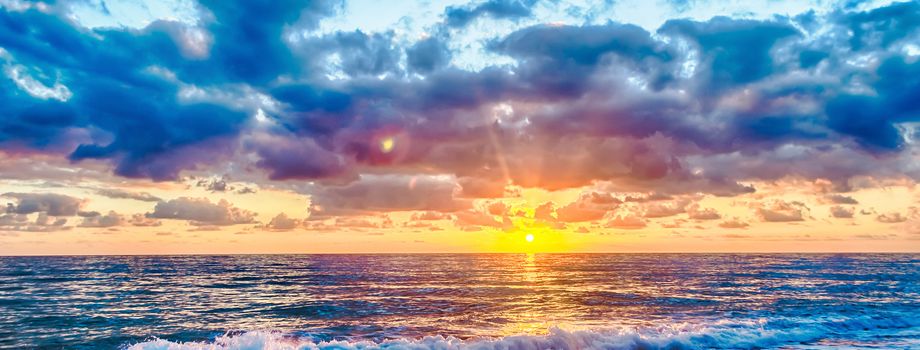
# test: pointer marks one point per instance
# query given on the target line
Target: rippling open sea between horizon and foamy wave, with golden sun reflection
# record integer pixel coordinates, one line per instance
(463, 295)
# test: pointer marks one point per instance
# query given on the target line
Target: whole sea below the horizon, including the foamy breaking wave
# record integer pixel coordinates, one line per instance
(462, 301)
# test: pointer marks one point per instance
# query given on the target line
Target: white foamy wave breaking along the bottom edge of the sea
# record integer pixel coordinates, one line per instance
(761, 333)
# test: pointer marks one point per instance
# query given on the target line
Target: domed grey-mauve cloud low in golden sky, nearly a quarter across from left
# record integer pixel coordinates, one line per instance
(201, 212)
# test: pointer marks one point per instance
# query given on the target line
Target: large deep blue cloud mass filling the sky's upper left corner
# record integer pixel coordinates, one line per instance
(152, 133)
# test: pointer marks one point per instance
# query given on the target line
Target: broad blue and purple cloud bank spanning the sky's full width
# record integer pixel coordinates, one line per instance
(744, 87)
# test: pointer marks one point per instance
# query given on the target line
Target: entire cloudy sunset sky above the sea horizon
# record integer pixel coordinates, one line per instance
(225, 127)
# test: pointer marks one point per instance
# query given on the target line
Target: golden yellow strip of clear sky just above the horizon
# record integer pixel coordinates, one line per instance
(677, 233)
